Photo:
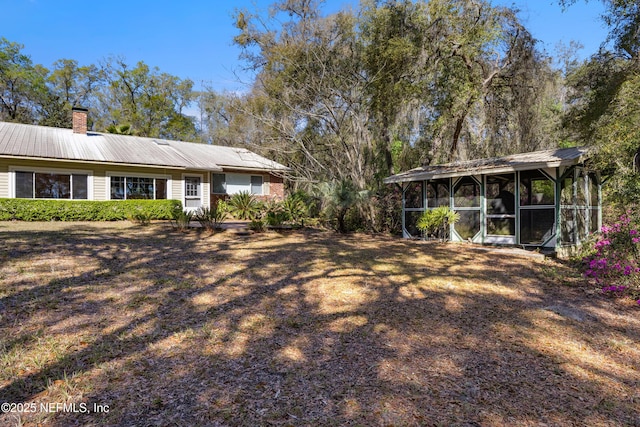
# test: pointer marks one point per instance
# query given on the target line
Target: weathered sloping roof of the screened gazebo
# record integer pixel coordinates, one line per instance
(515, 162)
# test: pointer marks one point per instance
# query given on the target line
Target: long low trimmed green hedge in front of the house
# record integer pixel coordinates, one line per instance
(86, 210)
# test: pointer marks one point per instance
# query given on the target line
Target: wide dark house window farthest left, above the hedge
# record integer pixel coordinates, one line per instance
(39, 185)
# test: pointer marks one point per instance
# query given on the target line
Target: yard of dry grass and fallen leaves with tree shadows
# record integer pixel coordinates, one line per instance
(306, 328)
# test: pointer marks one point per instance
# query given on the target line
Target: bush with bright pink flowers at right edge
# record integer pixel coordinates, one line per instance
(613, 265)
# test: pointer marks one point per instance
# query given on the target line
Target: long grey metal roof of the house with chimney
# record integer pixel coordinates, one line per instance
(30, 141)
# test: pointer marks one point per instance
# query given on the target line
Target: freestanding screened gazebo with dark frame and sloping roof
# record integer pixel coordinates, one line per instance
(543, 199)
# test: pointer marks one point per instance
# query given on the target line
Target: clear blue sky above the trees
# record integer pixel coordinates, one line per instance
(194, 38)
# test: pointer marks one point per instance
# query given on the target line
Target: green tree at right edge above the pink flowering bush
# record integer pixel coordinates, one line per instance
(604, 104)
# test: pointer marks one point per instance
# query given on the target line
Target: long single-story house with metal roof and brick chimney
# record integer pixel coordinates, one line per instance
(53, 163)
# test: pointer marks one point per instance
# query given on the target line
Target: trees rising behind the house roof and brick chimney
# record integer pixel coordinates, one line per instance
(149, 101)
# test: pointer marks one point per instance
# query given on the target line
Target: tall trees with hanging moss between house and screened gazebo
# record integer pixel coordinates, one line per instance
(399, 83)
